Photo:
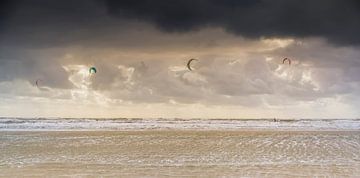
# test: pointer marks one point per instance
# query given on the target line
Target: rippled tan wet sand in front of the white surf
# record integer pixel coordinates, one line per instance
(180, 153)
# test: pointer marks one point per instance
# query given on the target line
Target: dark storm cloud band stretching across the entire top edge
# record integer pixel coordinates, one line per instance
(50, 22)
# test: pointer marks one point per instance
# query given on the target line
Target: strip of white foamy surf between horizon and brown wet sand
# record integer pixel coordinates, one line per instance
(181, 124)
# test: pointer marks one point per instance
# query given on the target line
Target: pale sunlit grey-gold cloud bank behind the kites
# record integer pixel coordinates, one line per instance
(238, 72)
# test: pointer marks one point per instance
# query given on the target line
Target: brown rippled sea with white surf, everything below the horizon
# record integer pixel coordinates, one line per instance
(140, 147)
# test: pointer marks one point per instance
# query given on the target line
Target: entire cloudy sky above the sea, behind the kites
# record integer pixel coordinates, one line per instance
(140, 50)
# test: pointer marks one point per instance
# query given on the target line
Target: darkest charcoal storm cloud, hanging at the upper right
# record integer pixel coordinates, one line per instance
(335, 20)
